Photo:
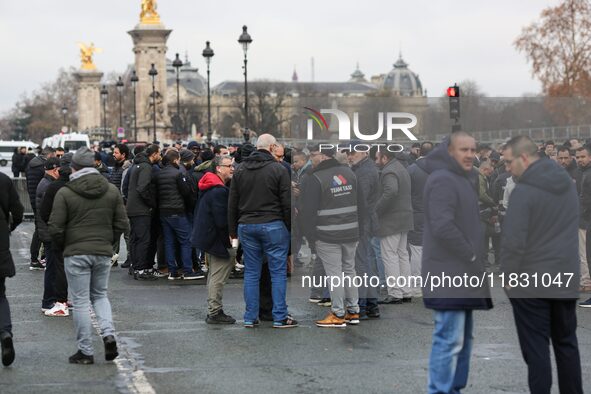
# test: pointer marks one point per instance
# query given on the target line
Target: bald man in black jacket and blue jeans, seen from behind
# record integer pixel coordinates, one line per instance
(259, 211)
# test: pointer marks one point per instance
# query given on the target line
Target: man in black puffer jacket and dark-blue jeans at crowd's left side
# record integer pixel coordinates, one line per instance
(173, 216)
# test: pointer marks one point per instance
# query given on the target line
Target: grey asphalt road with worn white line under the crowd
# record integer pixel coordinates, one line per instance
(166, 347)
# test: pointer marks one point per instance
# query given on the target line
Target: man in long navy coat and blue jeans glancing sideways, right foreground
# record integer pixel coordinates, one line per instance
(452, 245)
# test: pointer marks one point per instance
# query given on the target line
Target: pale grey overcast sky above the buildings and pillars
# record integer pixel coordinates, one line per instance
(442, 40)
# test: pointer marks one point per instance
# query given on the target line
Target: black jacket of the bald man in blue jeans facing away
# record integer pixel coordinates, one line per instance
(260, 192)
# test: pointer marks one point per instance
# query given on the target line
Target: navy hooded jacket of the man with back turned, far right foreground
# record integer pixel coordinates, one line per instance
(540, 233)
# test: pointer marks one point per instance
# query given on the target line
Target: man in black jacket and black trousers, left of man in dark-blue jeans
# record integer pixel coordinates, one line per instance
(141, 200)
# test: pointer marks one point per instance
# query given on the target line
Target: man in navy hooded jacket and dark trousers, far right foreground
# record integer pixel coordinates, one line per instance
(540, 241)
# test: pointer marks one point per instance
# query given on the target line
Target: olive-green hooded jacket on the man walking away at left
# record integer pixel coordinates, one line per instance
(88, 214)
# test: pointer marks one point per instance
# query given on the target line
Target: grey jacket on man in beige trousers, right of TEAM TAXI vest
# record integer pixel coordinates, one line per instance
(394, 208)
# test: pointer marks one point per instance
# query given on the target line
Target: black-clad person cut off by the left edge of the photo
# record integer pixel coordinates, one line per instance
(9, 205)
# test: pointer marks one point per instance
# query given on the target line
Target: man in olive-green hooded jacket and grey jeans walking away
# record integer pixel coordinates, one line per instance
(87, 215)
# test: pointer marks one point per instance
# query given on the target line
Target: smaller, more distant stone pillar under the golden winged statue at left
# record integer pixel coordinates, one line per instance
(89, 99)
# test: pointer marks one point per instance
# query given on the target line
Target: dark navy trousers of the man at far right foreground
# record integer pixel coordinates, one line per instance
(541, 320)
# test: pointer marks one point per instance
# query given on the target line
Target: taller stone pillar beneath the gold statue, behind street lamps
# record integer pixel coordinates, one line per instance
(149, 46)
